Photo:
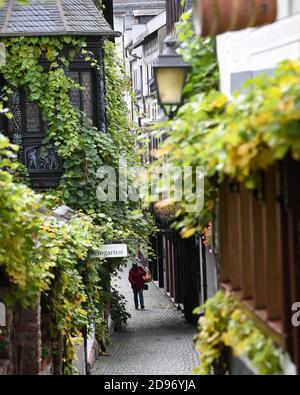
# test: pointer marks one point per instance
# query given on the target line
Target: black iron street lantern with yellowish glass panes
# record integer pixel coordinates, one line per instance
(170, 74)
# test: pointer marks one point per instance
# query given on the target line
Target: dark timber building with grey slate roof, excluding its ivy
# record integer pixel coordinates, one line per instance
(27, 128)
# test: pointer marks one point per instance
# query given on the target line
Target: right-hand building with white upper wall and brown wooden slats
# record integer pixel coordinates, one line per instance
(265, 271)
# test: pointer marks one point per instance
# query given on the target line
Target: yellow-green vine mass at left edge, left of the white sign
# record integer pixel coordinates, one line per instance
(40, 253)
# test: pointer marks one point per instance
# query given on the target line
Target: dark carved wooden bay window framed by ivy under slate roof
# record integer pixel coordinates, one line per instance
(28, 129)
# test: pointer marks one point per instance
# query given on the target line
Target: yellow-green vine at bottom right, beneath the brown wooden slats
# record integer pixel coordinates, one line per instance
(225, 325)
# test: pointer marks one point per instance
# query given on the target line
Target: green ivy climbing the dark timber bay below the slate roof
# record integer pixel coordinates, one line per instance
(83, 147)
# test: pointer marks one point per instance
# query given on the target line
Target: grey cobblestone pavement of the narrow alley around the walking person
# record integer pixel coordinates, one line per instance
(158, 341)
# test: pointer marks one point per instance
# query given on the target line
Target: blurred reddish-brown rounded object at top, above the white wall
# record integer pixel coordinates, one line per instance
(214, 17)
